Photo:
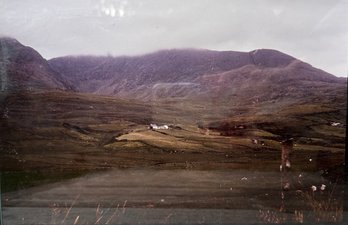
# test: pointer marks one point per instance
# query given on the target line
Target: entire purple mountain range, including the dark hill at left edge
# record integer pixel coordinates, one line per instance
(225, 77)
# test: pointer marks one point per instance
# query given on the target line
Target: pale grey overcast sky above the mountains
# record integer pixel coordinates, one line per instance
(315, 31)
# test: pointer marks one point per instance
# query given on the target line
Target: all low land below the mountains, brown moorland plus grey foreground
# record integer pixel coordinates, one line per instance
(69, 157)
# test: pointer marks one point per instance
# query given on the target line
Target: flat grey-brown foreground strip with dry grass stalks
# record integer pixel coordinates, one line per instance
(176, 197)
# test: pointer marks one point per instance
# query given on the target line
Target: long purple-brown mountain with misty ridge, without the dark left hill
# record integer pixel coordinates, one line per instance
(231, 76)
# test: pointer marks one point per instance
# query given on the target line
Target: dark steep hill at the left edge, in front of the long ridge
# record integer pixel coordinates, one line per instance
(22, 67)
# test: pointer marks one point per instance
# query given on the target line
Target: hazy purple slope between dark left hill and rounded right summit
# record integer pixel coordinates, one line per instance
(129, 76)
